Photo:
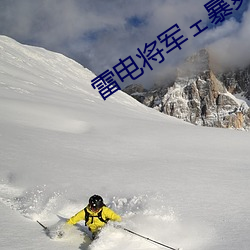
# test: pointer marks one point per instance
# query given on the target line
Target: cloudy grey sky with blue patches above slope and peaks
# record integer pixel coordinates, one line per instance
(98, 33)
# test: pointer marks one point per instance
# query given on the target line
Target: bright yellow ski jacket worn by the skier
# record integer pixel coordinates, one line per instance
(94, 223)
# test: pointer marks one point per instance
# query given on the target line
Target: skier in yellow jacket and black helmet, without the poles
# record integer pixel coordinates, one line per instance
(95, 214)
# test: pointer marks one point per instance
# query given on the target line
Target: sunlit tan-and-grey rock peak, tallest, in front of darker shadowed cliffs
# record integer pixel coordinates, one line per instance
(197, 96)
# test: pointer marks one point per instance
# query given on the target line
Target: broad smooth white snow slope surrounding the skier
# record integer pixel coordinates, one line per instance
(176, 183)
